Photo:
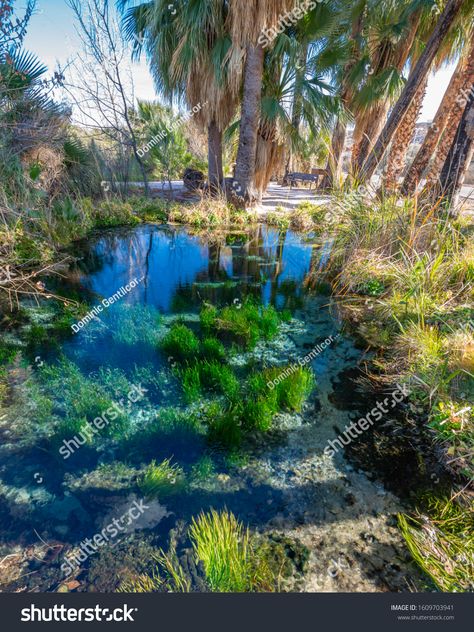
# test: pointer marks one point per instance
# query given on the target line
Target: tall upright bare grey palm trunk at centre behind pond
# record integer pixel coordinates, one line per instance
(246, 155)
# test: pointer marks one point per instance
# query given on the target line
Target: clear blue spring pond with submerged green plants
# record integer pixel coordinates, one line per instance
(334, 516)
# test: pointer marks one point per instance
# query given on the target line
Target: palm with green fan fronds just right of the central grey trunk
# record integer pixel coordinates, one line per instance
(297, 102)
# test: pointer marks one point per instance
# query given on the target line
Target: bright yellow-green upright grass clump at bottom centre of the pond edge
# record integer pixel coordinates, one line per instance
(228, 554)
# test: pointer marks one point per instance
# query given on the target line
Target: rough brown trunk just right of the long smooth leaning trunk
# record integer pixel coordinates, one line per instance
(402, 140)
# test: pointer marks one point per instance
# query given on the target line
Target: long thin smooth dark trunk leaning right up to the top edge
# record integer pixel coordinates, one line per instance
(418, 75)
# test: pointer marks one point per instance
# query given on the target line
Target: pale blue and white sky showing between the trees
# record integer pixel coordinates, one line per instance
(52, 37)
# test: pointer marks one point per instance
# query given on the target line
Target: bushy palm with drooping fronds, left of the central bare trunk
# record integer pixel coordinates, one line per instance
(193, 63)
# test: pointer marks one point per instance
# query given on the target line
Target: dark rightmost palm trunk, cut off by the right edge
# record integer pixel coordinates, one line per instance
(460, 155)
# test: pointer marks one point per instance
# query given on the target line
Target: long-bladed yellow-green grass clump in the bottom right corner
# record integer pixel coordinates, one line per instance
(442, 543)
